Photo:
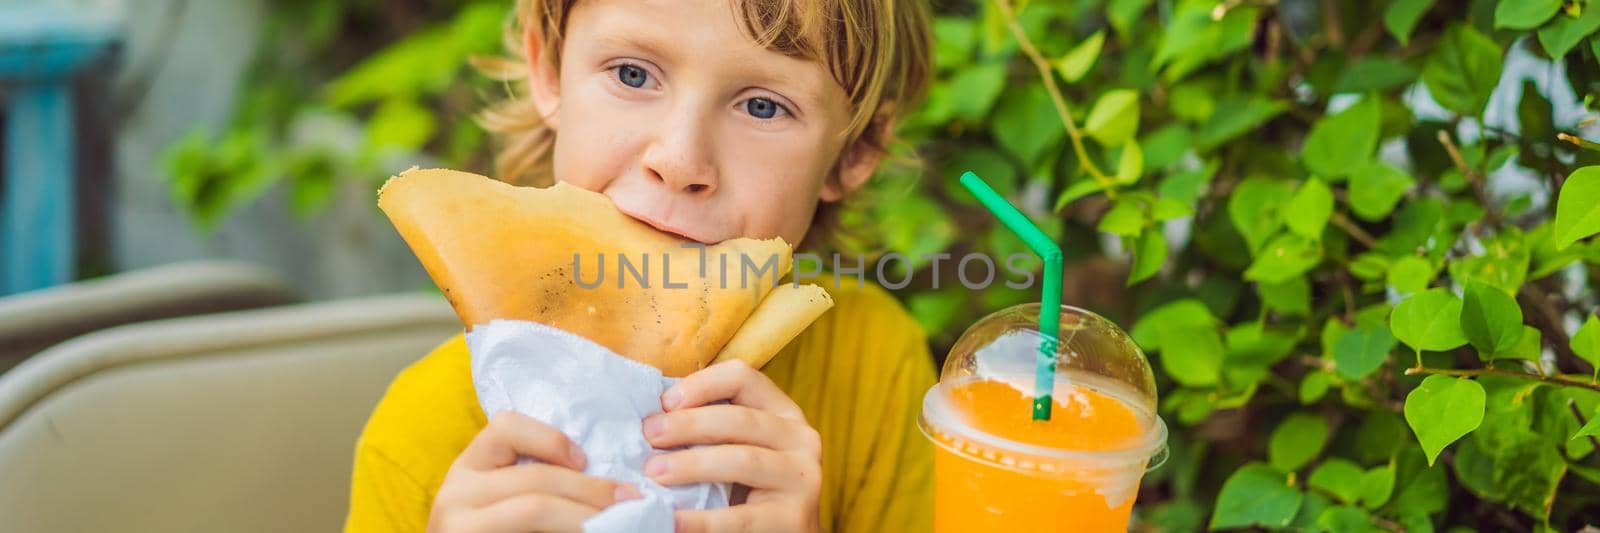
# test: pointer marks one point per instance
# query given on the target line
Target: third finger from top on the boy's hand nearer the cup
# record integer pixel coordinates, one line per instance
(759, 468)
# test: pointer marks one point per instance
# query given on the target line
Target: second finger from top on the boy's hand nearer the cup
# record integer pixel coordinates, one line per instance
(713, 425)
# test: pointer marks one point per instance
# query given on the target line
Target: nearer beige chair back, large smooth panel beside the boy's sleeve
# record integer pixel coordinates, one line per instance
(239, 422)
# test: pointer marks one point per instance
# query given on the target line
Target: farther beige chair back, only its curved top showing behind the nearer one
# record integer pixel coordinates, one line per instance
(31, 323)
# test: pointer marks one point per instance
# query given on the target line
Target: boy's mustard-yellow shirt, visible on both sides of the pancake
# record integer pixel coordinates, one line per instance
(858, 374)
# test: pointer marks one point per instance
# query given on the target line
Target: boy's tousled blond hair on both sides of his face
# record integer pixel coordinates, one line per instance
(878, 50)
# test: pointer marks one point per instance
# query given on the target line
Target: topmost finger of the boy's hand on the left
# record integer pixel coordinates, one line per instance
(510, 436)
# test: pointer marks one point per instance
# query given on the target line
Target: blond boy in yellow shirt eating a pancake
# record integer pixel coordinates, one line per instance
(710, 119)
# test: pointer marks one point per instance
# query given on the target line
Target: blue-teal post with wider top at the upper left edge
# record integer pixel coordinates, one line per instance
(42, 50)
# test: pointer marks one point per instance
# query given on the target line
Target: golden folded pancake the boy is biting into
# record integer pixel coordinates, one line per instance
(569, 258)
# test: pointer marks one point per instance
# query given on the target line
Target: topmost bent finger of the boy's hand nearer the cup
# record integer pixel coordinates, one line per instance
(735, 382)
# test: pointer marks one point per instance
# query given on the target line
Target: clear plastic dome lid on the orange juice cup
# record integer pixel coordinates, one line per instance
(1105, 399)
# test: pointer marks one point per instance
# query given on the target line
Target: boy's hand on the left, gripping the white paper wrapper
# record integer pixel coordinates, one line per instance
(487, 491)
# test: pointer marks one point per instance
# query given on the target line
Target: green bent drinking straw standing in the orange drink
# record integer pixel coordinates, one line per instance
(1050, 302)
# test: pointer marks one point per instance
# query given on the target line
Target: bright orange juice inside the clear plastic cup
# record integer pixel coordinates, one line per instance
(998, 470)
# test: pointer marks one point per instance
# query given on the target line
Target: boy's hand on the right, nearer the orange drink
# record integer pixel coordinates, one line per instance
(761, 441)
